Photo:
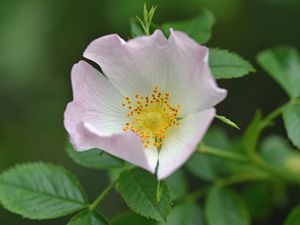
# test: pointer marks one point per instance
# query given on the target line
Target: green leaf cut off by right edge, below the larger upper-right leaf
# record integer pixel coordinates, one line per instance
(291, 117)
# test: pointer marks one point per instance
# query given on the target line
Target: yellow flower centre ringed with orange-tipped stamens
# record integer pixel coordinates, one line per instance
(150, 117)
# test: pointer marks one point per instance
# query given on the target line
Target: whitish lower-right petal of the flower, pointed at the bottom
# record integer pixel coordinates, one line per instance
(182, 141)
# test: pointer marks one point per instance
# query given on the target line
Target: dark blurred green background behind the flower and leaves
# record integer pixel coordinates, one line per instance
(40, 40)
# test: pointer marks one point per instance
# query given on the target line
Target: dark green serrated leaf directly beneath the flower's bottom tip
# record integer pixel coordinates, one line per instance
(138, 189)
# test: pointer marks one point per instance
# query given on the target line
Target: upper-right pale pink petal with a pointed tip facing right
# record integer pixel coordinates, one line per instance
(199, 82)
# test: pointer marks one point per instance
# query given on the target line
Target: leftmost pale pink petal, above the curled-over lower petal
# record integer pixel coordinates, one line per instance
(95, 100)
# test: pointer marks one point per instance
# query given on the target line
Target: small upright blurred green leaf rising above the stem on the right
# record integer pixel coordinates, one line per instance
(252, 133)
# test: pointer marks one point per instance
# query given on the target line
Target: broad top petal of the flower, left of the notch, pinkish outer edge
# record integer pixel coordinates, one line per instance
(133, 66)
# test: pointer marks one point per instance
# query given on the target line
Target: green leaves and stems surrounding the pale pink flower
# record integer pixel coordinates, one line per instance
(262, 167)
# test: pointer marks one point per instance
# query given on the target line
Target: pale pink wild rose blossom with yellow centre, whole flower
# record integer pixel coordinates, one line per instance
(151, 104)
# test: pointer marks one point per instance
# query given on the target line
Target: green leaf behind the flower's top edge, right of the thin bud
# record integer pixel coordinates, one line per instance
(198, 28)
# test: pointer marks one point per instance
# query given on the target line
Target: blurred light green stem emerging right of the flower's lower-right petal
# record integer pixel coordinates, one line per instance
(221, 153)
